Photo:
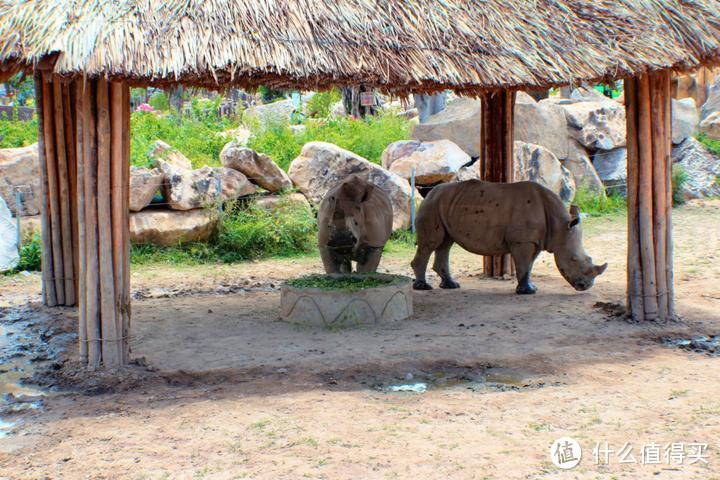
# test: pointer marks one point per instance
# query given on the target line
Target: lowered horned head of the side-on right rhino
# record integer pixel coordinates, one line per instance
(574, 263)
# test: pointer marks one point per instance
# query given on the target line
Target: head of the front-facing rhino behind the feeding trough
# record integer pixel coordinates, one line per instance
(346, 229)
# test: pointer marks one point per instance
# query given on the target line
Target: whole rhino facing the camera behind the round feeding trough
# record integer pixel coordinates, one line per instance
(354, 223)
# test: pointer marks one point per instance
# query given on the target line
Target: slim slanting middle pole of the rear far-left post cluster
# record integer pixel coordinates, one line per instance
(64, 201)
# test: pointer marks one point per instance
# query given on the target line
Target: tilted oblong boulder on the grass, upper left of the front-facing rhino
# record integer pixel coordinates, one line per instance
(258, 167)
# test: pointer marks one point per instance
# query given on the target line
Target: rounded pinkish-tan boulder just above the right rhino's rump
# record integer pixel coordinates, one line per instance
(434, 162)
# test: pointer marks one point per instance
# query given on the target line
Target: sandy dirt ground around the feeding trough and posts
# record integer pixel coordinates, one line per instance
(232, 392)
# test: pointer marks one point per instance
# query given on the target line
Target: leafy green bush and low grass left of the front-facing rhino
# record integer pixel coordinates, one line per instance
(244, 233)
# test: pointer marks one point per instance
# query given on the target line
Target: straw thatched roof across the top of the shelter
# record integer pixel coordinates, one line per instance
(397, 45)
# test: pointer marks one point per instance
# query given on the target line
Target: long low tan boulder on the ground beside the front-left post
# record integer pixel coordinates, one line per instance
(169, 227)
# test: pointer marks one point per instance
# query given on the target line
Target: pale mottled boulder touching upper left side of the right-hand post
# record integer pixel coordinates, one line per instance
(597, 125)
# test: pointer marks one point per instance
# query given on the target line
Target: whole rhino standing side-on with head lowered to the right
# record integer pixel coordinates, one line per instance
(521, 218)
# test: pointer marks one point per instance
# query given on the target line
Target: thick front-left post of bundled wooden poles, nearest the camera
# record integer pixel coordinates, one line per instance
(103, 193)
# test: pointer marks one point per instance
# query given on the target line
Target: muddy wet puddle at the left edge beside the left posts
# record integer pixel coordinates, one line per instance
(27, 345)
